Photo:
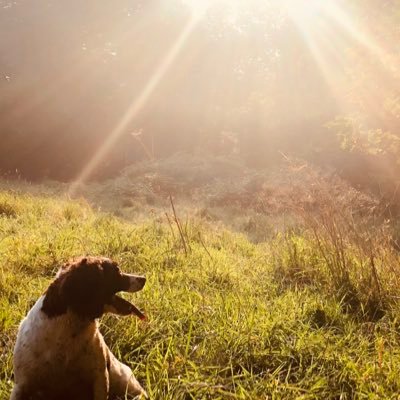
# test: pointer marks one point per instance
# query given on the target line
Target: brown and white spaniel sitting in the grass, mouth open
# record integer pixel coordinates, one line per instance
(60, 352)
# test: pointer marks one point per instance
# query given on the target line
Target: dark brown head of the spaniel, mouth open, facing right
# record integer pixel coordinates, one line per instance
(88, 288)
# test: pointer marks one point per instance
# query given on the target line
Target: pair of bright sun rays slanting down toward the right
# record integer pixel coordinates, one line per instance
(328, 28)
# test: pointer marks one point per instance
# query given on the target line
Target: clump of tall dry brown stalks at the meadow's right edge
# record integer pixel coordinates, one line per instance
(345, 251)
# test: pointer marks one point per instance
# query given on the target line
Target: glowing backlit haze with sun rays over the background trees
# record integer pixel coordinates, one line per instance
(87, 87)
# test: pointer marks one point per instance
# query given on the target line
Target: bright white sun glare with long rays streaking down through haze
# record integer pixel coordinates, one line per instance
(324, 26)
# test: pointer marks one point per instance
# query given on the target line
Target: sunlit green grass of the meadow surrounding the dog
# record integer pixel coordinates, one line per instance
(228, 319)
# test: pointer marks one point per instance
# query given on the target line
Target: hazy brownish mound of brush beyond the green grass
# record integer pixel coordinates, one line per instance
(226, 181)
